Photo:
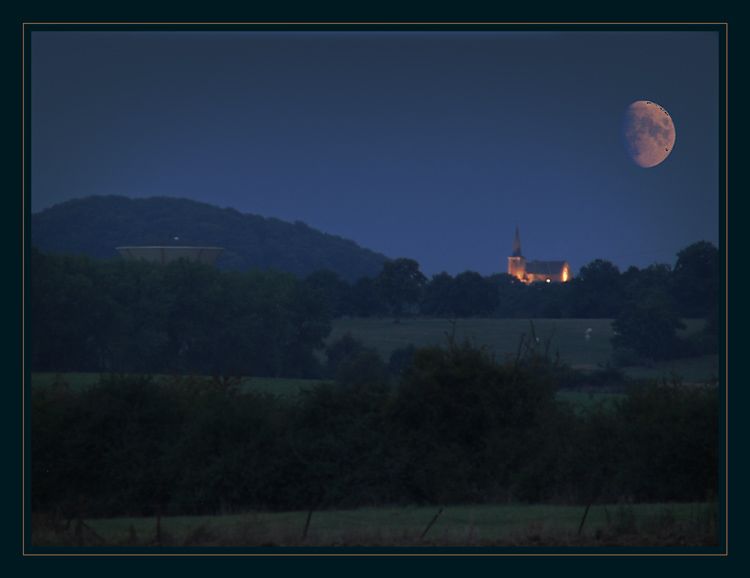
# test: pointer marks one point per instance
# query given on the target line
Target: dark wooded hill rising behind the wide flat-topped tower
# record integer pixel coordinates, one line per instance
(96, 225)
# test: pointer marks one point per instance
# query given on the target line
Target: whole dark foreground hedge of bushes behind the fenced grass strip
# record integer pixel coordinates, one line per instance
(455, 426)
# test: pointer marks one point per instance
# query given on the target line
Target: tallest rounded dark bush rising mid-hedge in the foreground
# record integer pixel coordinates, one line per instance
(468, 423)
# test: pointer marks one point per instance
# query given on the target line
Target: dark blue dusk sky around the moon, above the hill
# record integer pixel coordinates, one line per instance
(428, 145)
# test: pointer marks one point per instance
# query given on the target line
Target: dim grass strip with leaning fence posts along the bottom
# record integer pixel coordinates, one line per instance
(481, 525)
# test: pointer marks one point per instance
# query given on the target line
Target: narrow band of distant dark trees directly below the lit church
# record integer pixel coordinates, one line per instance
(600, 290)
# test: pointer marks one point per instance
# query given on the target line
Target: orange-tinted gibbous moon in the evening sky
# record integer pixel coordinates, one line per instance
(647, 133)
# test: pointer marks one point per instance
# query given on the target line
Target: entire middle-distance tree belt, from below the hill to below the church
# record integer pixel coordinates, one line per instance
(118, 315)
